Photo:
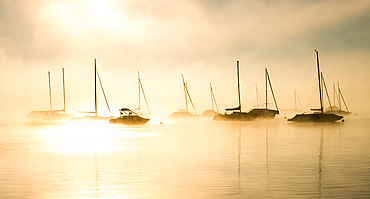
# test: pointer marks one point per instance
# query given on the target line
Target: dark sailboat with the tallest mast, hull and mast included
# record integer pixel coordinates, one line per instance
(319, 115)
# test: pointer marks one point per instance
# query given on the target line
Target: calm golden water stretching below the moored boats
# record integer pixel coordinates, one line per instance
(194, 159)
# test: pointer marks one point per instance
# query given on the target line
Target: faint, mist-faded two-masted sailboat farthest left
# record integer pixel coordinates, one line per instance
(52, 114)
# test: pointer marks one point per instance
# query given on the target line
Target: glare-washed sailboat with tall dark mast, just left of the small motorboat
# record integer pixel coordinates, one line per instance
(95, 116)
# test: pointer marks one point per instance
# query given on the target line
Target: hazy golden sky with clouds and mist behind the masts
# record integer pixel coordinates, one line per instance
(163, 39)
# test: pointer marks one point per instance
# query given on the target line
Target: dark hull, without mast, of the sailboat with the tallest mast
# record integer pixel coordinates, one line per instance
(316, 117)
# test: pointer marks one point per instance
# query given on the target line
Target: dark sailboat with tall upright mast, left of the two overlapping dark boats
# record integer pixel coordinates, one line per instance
(236, 114)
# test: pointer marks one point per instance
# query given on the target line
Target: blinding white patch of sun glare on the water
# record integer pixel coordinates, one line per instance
(90, 137)
